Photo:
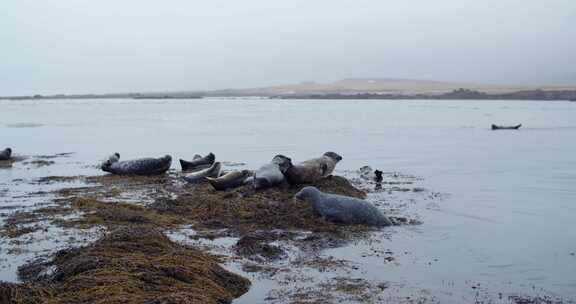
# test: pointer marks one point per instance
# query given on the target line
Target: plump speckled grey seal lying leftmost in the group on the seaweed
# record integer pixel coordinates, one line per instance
(142, 166)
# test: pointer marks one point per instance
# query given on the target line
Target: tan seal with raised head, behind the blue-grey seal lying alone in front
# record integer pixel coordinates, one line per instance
(312, 170)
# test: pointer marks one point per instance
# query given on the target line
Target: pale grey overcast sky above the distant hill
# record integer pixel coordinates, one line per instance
(81, 46)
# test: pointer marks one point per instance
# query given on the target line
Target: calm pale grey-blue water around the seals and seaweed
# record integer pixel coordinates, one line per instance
(508, 222)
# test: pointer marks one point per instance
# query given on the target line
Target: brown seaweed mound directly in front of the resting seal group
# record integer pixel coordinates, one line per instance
(245, 210)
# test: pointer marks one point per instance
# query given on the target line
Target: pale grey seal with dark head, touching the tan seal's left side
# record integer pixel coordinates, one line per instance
(271, 174)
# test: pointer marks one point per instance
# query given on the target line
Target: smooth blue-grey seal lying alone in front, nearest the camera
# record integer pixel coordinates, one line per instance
(343, 209)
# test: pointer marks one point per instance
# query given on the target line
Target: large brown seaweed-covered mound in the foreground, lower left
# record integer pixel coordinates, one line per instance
(135, 265)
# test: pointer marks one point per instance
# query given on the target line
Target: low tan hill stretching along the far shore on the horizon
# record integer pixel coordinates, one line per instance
(369, 87)
